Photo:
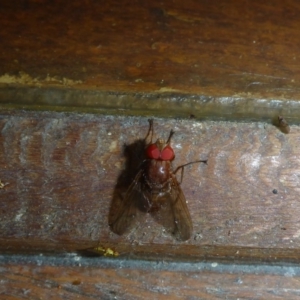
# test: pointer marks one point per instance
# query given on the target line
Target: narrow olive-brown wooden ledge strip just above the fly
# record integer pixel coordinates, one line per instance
(165, 105)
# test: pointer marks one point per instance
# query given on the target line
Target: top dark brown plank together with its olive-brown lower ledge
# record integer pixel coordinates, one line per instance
(173, 59)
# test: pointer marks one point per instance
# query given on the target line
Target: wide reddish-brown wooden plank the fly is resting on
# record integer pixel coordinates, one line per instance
(59, 173)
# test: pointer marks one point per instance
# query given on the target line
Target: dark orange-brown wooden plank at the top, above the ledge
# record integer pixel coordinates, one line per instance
(131, 46)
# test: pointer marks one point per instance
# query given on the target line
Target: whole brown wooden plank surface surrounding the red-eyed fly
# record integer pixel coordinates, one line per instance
(194, 60)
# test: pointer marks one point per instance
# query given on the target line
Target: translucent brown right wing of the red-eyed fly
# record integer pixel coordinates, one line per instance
(173, 212)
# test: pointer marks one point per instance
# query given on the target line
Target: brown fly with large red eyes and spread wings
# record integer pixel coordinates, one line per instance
(155, 190)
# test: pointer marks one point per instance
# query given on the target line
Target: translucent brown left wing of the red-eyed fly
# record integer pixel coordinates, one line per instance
(128, 207)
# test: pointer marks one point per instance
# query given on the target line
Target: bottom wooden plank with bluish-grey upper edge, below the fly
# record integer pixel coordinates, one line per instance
(72, 276)
